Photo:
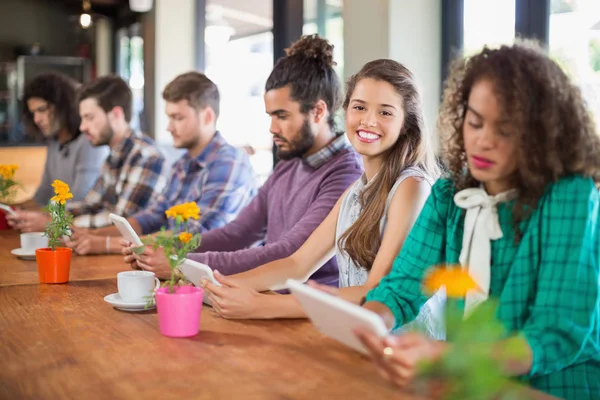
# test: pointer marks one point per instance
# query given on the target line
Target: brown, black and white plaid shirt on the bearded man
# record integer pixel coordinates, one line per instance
(133, 173)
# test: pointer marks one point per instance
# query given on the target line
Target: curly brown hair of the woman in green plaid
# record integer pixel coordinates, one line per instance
(555, 133)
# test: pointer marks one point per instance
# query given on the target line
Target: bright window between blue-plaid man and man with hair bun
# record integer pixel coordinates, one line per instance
(239, 59)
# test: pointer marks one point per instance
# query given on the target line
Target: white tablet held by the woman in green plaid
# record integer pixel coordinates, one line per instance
(335, 317)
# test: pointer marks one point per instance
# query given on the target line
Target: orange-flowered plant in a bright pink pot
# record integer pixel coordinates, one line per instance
(178, 303)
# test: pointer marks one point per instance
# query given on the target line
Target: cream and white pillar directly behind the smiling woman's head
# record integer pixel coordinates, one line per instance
(408, 31)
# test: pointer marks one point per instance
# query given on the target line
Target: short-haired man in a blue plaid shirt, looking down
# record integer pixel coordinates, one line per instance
(212, 173)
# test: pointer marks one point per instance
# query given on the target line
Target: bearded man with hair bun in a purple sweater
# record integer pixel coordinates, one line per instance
(317, 165)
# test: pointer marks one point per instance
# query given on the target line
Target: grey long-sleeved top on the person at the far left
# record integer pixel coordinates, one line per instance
(77, 164)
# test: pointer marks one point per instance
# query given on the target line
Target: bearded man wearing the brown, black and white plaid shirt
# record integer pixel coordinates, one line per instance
(134, 170)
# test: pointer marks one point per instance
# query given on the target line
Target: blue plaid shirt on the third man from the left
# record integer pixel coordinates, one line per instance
(220, 180)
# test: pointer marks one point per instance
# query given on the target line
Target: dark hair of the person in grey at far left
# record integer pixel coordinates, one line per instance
(60, 91)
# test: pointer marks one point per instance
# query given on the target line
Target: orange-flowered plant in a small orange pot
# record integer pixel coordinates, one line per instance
(54, 262)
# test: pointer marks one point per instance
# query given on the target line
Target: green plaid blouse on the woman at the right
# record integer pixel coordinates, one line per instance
(548, 285)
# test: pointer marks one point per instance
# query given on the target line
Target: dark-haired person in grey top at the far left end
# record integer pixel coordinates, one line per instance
(50, 104)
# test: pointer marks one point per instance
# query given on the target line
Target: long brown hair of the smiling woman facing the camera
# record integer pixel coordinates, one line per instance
(412, 149)
